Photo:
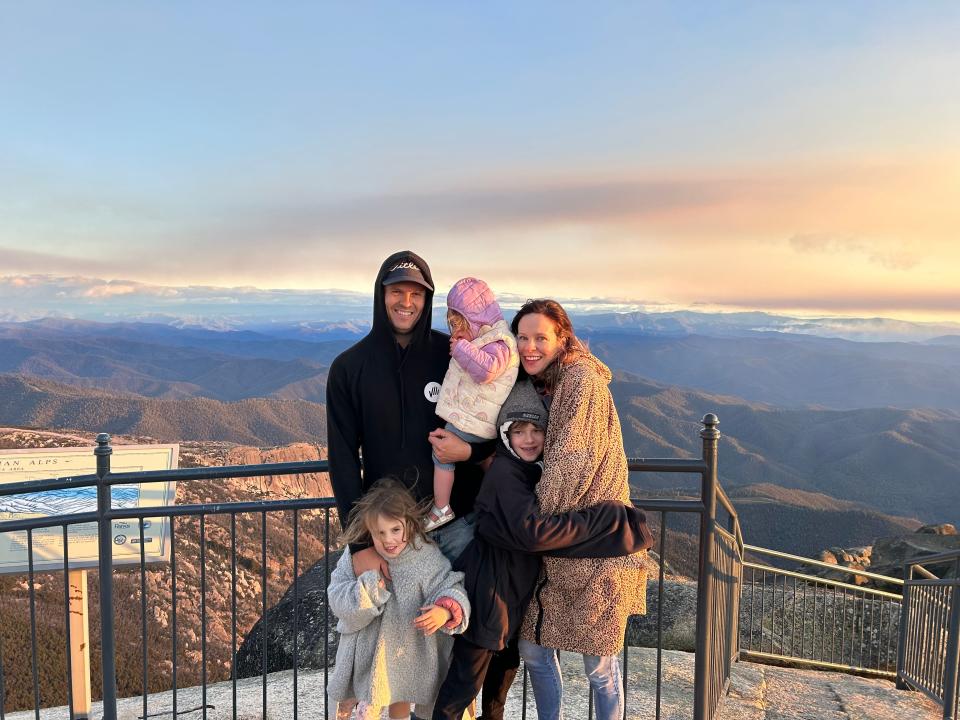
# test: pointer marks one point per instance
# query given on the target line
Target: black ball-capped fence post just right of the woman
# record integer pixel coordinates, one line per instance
(703, 663)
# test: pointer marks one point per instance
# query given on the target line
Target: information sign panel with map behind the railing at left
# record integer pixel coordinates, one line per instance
(47, 543)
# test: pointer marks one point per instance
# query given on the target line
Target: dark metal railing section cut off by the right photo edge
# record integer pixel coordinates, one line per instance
(929, 653)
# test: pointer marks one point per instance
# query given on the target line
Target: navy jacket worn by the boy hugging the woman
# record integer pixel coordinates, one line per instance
(502, 563)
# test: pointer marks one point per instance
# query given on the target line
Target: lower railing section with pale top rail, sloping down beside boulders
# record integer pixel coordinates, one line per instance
(819, 622)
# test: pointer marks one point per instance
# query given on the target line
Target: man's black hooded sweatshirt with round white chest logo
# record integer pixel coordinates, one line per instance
(381, 400)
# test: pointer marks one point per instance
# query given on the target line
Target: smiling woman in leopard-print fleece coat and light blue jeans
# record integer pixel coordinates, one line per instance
(580, 605)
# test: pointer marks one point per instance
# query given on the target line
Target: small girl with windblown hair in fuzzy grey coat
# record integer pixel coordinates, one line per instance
(390, 654)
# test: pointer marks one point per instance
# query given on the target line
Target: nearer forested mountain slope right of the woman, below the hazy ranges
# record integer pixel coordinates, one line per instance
(904, 462)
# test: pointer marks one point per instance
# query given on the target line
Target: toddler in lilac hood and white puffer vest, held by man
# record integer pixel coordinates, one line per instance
(483, 368)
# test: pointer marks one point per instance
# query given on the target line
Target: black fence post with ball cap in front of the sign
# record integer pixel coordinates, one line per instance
(105, 538)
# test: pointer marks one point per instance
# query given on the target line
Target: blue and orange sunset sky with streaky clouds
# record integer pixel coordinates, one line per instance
(784, 156)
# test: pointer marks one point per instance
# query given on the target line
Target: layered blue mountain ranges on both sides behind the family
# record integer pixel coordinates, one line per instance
(866, 422)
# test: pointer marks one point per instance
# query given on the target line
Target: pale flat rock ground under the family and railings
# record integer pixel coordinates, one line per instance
(757, 692)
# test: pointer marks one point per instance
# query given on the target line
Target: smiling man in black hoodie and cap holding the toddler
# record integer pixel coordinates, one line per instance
(381, 406)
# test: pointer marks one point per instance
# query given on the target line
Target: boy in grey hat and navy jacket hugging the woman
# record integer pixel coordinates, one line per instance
(502, 563)
